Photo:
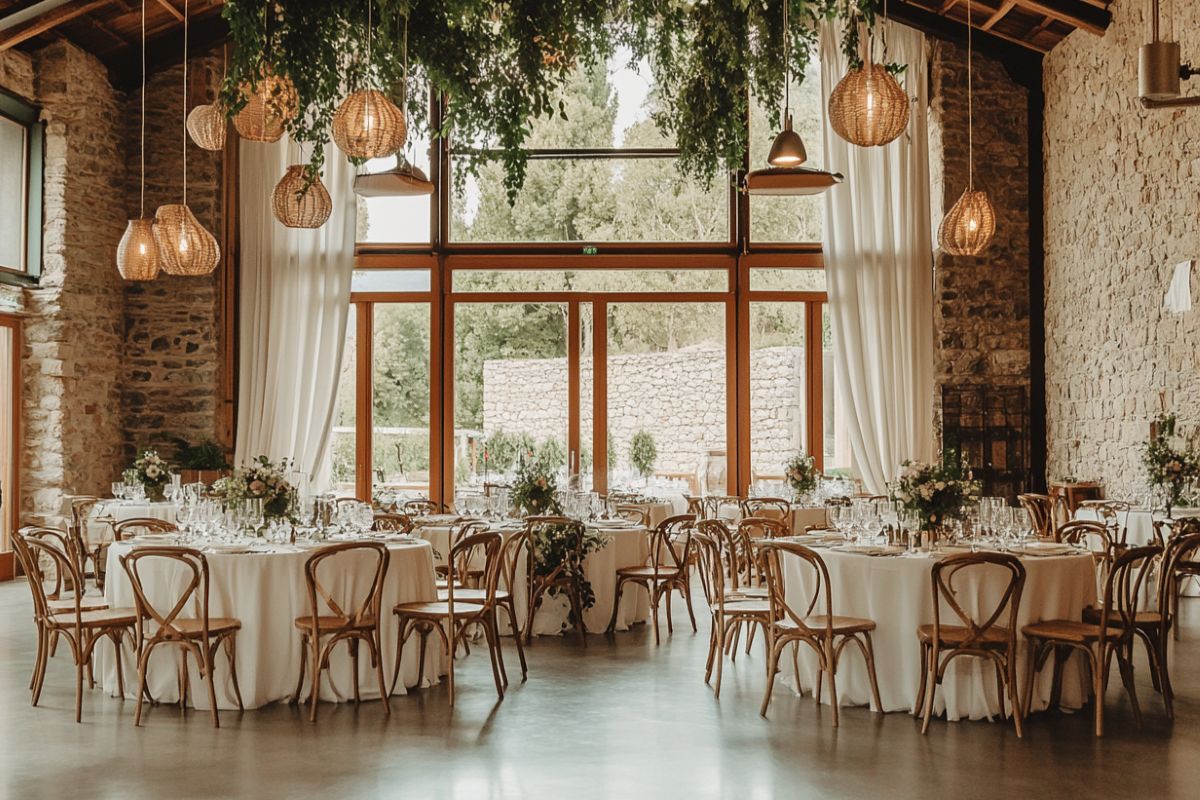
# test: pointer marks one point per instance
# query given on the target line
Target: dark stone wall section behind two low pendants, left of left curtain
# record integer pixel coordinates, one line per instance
(172, 359)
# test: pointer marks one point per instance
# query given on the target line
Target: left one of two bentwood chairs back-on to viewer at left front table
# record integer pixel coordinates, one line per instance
(201, 635)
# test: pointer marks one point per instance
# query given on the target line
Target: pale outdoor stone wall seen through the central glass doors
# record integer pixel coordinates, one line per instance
(679, 398)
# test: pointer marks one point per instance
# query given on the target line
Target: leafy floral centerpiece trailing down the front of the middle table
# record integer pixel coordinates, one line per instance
(533, 494)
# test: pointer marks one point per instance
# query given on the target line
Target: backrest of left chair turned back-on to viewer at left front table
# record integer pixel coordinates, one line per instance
(194, 588)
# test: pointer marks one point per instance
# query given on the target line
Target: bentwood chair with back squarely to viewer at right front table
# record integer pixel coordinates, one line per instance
(940, 643)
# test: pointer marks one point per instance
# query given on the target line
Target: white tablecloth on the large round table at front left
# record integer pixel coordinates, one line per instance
(267, 592)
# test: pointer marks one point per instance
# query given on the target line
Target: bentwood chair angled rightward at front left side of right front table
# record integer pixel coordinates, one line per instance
(826, 634)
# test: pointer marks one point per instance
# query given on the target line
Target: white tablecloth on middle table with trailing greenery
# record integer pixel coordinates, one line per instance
(626, 548)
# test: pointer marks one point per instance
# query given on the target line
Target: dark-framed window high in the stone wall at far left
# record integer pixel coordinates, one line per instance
(21, 202)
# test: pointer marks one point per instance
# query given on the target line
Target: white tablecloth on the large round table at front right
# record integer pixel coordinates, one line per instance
(897, 594)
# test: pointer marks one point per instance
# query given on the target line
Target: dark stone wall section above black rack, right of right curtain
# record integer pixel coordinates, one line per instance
(982, 315)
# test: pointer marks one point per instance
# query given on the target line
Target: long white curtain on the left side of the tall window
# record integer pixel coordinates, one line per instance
(296, 296)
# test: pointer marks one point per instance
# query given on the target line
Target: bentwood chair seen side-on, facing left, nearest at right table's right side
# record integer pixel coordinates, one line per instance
(1111, 635)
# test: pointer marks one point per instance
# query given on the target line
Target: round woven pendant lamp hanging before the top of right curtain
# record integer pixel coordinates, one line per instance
(868, 107)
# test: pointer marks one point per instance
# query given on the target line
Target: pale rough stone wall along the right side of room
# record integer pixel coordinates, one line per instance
(1121, 212)
